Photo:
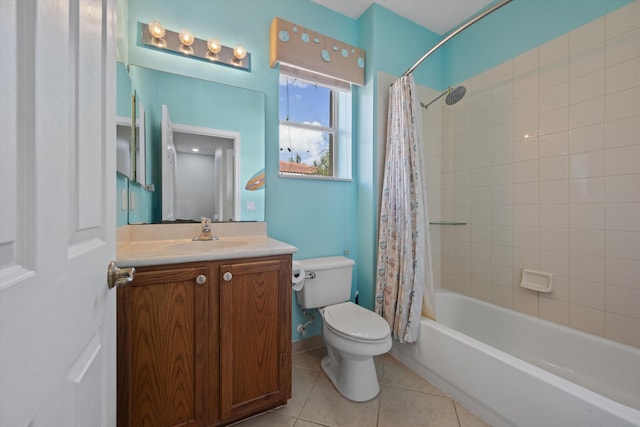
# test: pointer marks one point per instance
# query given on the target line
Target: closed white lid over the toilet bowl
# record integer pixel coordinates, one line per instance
(352, 320)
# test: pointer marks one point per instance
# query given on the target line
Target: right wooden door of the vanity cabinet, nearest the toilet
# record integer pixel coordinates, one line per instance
(255, 336)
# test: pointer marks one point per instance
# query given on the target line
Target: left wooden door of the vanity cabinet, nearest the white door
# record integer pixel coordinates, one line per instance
(162, 330)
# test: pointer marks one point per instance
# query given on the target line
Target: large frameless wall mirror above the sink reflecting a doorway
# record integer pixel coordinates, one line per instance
(226, 123)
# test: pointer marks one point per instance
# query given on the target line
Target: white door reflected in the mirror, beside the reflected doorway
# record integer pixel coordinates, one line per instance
(169, 160)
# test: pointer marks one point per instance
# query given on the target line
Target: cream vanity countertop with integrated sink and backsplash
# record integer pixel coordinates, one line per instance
(156, 244)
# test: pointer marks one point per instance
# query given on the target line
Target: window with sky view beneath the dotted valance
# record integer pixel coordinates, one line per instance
(315, 127)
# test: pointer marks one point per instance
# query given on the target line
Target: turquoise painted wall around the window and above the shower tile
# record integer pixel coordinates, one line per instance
(325, 218)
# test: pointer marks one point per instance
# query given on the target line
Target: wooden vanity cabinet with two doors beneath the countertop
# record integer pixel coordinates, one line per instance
(204, 354)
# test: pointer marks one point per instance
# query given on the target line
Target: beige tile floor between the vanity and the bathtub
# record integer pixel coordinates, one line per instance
(405, 399)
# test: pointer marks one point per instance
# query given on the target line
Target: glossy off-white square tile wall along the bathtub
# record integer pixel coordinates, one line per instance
(542, 159)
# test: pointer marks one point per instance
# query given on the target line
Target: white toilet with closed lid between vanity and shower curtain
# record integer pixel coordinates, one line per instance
(352, 334)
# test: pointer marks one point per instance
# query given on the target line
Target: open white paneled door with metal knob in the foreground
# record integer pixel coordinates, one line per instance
(57, 214)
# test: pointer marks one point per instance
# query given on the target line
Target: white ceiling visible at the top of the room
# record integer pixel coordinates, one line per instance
(439, 16)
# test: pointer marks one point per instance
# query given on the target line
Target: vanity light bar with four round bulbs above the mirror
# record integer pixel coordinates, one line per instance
(184, 43)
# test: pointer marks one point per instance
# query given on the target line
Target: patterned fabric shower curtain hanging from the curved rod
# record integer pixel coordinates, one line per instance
(404, 261)
